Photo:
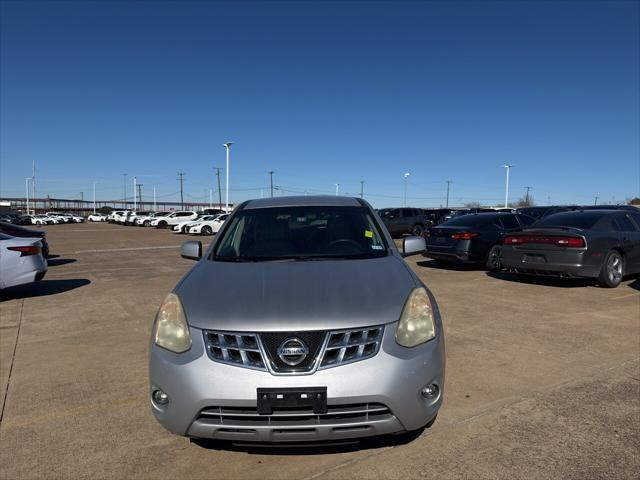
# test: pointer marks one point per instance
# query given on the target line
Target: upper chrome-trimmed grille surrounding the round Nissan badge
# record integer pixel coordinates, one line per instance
(259, 351)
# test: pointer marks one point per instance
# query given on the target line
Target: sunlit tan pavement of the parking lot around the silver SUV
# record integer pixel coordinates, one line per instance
(543, 376)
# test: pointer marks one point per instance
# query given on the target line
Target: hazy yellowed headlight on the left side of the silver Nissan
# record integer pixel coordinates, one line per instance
(171, 330)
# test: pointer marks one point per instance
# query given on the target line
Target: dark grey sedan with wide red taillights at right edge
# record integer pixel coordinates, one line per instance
(602, 244)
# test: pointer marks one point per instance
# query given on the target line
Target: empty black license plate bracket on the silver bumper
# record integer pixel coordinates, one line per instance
(314, 397)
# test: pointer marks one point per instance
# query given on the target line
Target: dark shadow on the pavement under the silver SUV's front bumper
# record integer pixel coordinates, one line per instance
(312, 448)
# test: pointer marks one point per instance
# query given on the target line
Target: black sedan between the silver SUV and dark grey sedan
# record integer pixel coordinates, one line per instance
(472, 238)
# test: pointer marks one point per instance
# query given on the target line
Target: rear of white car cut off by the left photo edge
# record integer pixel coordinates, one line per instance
(21, 260)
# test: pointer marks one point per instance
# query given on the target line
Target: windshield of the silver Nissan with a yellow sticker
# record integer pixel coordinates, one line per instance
(300, 233)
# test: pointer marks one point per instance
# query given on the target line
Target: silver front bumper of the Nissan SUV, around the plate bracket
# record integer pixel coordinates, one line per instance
(384, 391)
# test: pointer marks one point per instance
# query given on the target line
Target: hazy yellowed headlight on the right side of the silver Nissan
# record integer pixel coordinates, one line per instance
(416, 324)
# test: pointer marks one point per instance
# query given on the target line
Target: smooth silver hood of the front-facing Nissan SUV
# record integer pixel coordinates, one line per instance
(295, 295)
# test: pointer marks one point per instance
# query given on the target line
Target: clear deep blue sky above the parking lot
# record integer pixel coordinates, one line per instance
(323, 93)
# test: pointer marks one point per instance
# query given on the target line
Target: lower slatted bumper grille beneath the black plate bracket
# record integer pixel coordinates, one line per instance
(238, 417)
